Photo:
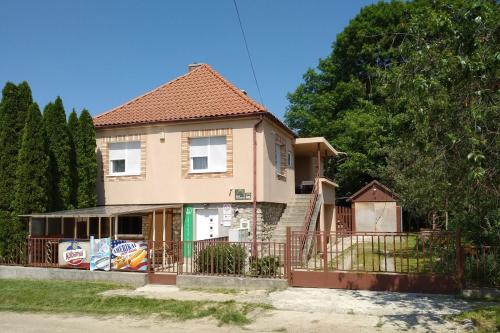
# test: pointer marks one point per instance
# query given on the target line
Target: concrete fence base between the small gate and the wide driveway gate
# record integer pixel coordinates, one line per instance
(228, 282)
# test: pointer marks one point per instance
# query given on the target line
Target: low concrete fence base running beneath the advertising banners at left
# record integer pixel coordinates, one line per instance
(40, 273)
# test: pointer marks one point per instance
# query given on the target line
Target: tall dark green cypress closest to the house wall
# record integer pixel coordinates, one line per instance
(86, 161)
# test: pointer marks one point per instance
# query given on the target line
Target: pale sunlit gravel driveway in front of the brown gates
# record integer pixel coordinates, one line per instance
(353, 310)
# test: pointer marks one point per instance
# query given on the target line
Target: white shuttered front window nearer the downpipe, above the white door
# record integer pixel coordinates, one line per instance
(208, 154)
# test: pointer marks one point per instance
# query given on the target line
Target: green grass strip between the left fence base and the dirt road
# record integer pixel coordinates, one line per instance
(82, 298)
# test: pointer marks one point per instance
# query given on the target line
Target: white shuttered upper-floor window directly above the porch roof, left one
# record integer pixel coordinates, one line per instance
(125, 158)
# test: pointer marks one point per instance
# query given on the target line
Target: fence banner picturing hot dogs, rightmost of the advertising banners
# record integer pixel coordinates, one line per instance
(129, 255)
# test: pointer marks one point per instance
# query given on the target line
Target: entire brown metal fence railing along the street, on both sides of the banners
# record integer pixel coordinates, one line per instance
(401, 253)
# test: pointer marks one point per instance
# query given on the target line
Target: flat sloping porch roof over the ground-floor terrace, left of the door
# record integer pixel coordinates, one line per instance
(102, 211)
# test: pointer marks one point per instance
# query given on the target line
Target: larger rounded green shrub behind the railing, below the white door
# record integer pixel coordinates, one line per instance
(221, 258)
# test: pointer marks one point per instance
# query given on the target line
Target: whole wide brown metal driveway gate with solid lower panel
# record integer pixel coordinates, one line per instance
(406, 262)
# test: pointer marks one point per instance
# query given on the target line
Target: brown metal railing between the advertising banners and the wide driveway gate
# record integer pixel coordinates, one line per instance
(221, 258)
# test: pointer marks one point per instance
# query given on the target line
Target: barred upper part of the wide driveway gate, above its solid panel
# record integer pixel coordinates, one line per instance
(373, 252)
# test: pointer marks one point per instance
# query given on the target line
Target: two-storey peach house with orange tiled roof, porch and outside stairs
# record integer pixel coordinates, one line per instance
(195, 158)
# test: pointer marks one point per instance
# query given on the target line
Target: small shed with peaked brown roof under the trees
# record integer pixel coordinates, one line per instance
(376, 208)
